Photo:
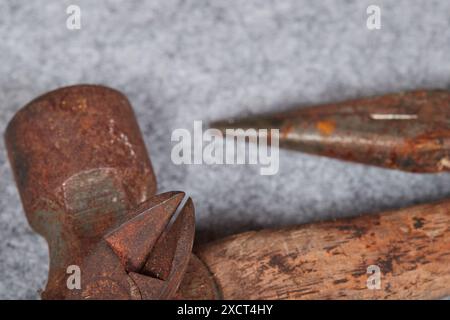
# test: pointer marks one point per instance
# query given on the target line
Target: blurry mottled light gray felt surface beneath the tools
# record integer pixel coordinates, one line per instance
(180, 61)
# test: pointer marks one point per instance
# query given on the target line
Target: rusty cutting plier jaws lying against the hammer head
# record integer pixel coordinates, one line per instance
(114, 268)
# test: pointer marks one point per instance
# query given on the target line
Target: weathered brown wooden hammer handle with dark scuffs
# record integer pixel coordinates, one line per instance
(330, 260)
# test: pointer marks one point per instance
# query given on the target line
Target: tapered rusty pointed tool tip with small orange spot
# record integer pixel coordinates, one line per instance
(409, 131)
